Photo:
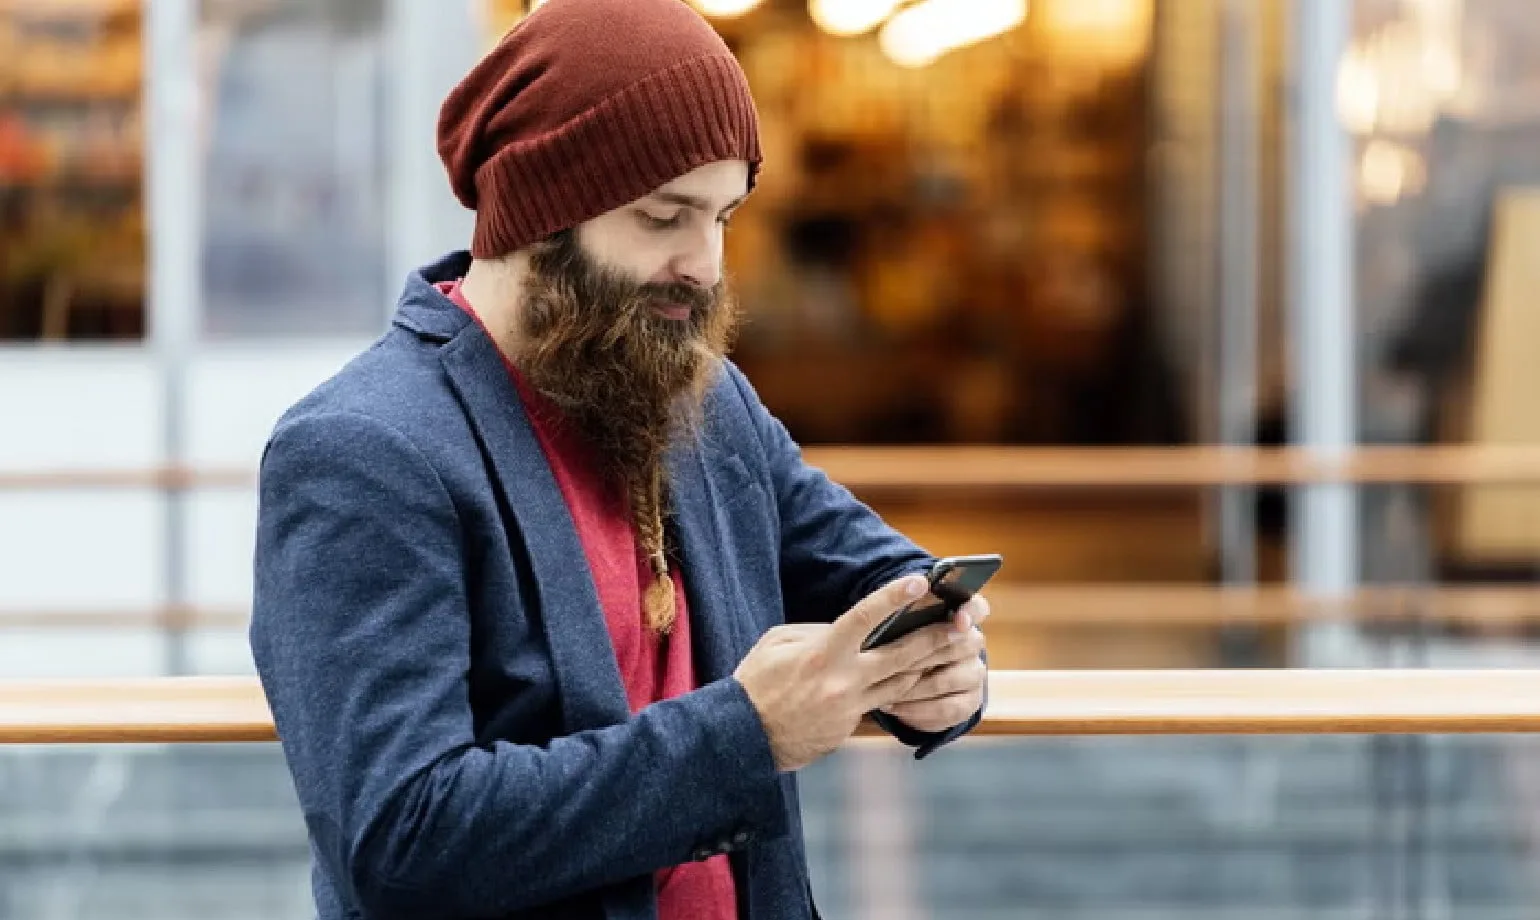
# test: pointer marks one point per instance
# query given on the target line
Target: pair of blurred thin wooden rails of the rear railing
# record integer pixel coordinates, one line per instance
(882, 471)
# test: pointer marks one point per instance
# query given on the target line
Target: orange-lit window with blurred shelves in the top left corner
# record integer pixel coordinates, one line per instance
(72, 173)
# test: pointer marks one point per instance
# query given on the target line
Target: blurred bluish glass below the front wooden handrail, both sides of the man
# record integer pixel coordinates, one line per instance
(1009, 830)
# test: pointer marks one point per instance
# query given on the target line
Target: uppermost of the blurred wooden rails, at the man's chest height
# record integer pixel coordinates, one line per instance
(875, 469)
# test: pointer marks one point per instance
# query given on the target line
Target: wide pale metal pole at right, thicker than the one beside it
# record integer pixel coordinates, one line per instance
(1325, 532)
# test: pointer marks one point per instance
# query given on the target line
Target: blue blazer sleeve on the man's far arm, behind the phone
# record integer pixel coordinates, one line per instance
(835, 549)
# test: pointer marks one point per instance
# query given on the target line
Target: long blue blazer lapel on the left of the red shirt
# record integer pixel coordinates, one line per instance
(588, 676)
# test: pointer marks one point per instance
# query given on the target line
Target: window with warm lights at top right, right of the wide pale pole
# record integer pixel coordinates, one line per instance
(1444, 104)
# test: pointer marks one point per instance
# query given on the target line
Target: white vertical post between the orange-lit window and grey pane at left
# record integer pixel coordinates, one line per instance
(173, 183)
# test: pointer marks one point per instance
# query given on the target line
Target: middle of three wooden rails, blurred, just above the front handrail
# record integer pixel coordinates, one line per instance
(1039, 605)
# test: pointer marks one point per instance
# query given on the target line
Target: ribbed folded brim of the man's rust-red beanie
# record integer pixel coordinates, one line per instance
(654, 132)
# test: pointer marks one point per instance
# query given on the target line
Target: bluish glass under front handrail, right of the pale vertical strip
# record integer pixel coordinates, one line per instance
(1234, 828)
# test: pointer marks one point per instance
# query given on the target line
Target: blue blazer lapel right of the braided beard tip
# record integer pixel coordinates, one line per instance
(714, 597)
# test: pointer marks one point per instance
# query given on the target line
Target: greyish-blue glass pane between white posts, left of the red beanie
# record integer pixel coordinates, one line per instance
(295, 170)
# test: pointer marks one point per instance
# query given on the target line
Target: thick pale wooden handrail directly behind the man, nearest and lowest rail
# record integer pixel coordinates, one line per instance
(1022, 703)
